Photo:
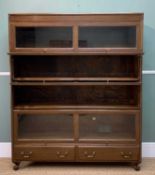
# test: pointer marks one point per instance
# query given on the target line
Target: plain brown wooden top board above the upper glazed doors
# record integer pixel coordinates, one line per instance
(26, 17)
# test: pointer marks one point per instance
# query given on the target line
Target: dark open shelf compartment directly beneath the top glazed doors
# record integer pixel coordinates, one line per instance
(76, 66)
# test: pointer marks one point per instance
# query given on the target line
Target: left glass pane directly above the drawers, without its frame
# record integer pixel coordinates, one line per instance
(36, 126)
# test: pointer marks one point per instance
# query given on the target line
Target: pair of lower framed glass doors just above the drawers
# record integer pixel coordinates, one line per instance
(106, 126)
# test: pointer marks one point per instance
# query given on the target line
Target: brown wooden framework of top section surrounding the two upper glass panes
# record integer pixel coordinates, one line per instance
(76, 21)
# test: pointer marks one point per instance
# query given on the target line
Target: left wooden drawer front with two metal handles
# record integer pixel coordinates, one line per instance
(44, 153)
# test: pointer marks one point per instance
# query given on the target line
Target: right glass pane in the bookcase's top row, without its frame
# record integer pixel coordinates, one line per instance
(107, 36)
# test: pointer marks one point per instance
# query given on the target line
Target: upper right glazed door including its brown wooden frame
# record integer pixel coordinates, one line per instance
(112, 38)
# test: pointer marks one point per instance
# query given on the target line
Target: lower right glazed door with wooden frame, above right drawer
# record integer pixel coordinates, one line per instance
(109, 127)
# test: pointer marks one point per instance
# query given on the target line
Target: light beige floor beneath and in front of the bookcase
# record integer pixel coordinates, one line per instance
(6, 168)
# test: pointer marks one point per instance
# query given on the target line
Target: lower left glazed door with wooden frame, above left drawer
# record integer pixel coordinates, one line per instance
(37, 126)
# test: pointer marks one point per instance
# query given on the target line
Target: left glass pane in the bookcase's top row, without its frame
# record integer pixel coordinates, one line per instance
(43, 37)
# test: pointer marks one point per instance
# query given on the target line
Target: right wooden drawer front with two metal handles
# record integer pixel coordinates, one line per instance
(108, 154)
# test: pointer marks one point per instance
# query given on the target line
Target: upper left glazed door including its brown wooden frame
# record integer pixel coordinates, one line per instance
(41, 38)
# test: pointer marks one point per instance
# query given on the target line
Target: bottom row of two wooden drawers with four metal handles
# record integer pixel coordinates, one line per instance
(78, 154)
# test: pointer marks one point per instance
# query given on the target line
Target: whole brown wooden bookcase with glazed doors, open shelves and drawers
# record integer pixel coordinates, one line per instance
(76, 87)
